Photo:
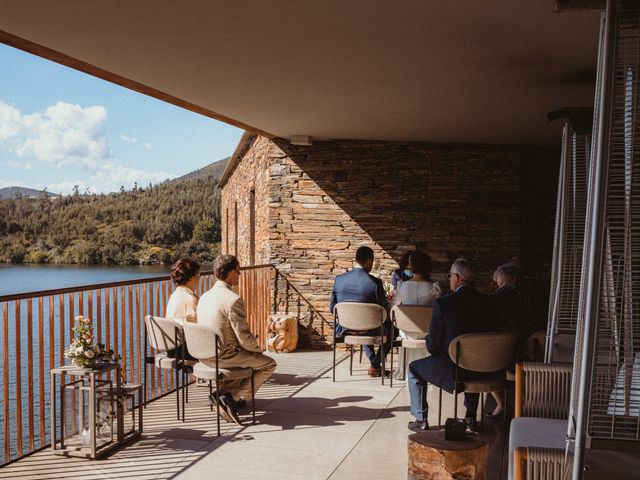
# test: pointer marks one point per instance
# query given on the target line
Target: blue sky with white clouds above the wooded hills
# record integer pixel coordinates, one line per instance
(60, 127)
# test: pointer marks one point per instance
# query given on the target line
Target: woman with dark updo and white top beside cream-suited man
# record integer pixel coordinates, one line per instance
(185, 274)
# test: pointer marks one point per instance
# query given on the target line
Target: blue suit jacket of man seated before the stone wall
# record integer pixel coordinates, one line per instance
(357, 286)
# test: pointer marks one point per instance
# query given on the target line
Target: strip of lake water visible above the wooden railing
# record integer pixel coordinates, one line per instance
(31, 278)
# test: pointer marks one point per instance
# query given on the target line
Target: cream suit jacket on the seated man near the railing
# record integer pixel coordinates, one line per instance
(222, 309)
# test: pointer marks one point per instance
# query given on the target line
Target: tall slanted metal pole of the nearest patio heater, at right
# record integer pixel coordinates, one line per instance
(594, 245)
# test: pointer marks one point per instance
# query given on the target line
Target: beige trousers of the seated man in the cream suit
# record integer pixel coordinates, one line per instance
(241, 388)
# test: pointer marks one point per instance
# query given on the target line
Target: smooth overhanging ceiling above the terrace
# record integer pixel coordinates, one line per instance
(459, 71)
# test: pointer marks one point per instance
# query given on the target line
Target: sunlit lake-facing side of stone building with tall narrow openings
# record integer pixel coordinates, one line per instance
(252, 173)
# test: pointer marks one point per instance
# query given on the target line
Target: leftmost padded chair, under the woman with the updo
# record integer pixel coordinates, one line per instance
(165, 337)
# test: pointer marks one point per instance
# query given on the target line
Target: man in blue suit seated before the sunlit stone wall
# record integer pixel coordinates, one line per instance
(358, 285)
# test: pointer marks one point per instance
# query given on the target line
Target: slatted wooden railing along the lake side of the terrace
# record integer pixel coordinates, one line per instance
(37, 326)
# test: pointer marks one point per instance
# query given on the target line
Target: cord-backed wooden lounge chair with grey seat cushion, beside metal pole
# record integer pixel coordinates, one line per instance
(538, 433)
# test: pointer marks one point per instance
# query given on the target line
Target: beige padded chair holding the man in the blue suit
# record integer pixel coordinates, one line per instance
(359, 317)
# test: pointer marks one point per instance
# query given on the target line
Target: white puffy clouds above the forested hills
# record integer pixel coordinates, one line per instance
(67, 135)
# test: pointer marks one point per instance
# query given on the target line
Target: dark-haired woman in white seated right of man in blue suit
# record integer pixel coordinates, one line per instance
(419, 290)
